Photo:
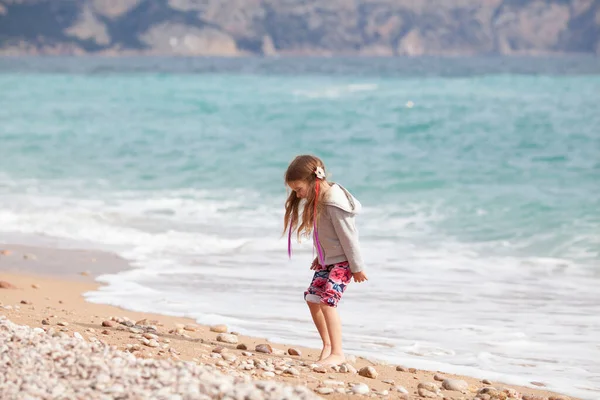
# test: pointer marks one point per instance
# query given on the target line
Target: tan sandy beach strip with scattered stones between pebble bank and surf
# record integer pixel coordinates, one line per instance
(44, 288)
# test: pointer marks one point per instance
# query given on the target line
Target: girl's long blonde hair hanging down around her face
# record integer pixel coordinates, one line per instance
(302, 168)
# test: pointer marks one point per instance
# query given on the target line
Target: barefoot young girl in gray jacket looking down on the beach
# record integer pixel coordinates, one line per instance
(328, 212)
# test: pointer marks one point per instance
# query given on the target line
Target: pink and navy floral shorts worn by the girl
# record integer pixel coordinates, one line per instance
(328, 284)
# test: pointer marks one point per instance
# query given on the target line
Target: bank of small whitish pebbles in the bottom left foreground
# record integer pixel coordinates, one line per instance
(69, 369)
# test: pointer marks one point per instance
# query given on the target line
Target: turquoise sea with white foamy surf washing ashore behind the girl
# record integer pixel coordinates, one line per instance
(481, 197)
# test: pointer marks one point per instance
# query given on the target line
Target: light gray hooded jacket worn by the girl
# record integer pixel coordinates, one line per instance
(337, 230)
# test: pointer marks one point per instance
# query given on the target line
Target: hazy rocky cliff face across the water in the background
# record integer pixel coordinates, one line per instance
(237, 27)
